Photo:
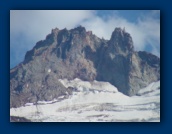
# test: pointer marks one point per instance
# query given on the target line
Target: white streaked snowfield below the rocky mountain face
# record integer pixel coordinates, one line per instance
(96, 102)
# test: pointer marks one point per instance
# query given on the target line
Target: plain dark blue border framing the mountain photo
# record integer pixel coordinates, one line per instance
(140, 128)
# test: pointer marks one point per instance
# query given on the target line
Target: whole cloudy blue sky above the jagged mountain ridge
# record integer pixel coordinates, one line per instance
(30, 26)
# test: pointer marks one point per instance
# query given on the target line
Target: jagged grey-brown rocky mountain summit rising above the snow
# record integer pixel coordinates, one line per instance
(77, 53)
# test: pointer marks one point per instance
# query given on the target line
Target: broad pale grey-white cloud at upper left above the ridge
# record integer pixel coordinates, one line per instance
(36, 24)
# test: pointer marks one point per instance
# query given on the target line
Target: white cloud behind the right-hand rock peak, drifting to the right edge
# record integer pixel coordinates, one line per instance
(145, 31)
